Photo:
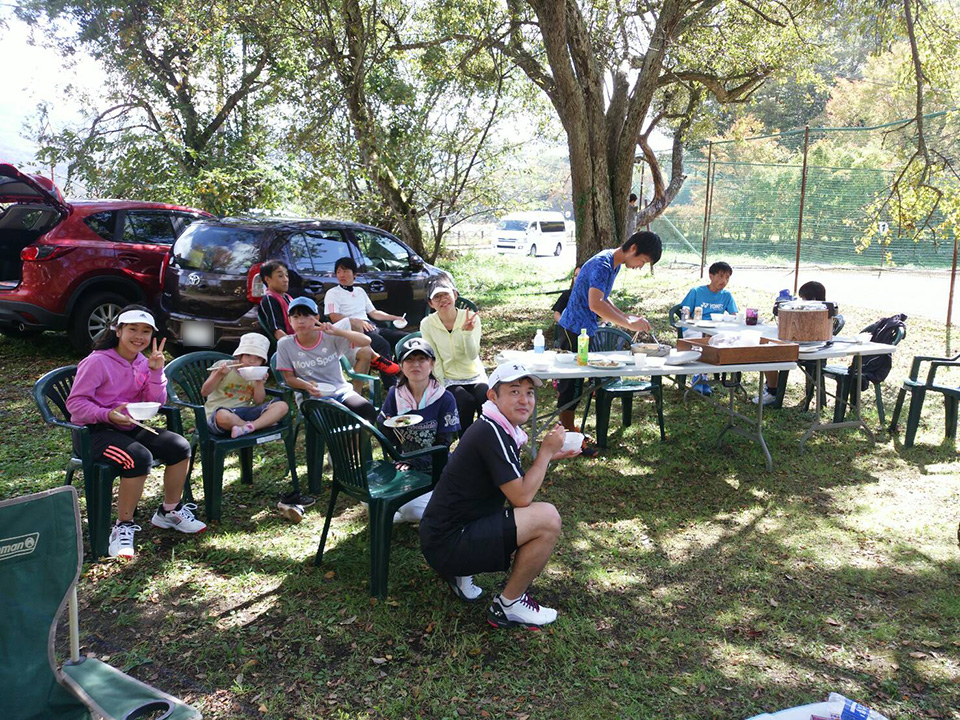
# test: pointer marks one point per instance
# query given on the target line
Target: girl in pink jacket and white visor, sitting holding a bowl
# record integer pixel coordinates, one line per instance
(111, 377)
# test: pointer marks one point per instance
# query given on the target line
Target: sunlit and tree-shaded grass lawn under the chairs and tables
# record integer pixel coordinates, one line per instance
(690, 583)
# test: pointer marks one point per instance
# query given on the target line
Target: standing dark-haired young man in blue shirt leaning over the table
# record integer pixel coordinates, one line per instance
(590, 299)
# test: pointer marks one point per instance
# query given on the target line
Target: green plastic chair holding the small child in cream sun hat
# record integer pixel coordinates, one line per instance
(185, 377)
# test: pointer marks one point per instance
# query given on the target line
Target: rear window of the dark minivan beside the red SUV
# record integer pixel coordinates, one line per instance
(217, 249)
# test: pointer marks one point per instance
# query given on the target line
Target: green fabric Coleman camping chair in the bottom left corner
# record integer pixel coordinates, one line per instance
(41, 554)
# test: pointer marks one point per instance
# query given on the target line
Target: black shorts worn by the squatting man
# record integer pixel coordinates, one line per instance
(484, 545)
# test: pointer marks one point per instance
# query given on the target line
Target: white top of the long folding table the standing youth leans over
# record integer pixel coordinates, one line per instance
(572, 371)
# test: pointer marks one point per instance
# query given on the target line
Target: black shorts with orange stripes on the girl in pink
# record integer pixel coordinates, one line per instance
(133, 451)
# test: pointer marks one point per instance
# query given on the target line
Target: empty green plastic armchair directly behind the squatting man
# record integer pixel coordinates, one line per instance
(378, 483)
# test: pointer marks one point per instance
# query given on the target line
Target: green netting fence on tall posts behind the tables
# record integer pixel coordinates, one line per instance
(750, 208)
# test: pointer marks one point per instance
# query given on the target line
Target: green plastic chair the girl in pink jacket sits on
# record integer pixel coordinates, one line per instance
(50, 393)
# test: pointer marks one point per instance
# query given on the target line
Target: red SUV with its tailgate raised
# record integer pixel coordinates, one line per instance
(72, 266)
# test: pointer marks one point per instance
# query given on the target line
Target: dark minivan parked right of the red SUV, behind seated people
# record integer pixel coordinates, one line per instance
(212, 284)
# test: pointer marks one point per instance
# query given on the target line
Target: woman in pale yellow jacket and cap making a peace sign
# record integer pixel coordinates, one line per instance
(455, 337)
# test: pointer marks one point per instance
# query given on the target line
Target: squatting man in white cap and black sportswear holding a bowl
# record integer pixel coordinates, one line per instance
(466, 530)
